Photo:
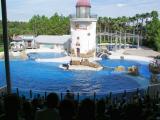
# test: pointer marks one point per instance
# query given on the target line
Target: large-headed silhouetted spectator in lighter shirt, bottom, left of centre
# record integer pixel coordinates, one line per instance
(51, 112)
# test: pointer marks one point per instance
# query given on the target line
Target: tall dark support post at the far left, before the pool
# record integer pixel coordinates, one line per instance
(5, 41)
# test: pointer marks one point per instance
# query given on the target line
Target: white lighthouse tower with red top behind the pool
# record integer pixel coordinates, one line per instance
(83, 30)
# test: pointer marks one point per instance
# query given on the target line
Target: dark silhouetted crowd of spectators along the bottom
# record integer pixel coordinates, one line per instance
(138, 107)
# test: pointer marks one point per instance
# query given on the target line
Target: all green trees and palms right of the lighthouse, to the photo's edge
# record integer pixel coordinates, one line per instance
(147, 25)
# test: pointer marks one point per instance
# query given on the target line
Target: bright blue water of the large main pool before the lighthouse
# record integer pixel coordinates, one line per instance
(37, 76)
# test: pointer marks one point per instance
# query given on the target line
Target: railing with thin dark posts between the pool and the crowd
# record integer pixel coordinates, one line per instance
(152, 90)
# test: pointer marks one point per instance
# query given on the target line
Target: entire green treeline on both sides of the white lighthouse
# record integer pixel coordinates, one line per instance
(146, 24)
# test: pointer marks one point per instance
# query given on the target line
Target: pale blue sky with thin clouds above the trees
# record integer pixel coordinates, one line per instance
(23, 10)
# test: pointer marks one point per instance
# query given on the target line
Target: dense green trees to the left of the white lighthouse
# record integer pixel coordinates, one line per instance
(40, 25)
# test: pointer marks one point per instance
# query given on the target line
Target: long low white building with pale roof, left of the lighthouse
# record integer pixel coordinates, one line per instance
(55, 42)
